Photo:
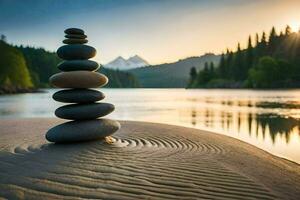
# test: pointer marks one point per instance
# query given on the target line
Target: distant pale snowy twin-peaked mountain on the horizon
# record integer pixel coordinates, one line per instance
(123, 64)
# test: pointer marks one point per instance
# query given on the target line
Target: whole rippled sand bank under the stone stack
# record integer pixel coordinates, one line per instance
(146, 161)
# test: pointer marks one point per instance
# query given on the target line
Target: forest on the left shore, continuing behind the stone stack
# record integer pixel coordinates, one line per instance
(24, 69)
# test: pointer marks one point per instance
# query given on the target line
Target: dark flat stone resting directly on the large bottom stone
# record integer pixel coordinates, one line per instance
(84, 111)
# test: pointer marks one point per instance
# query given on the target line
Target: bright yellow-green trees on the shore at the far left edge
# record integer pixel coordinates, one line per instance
(13, 69)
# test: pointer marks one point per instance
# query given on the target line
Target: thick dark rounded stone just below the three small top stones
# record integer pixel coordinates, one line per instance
(76, 52)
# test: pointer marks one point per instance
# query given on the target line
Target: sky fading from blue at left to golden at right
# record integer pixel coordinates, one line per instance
(160, 31)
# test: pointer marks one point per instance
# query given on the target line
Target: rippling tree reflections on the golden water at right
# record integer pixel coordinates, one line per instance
(256, 123)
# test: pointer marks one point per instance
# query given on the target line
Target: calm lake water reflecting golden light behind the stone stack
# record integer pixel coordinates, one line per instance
(267, 119)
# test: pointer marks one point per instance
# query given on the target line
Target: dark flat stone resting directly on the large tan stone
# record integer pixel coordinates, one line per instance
(75, 65)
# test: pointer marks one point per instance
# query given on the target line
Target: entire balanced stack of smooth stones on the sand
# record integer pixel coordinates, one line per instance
(78, 74)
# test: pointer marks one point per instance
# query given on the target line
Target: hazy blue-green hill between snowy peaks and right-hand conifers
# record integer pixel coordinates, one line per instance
(171, 75)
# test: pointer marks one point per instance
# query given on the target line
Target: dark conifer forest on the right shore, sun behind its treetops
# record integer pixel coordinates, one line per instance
(269, 62)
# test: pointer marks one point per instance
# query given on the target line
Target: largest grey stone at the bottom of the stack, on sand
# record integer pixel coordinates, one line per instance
(81, 131)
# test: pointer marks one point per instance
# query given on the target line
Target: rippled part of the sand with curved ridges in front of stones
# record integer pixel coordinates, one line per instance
(136, 166)
